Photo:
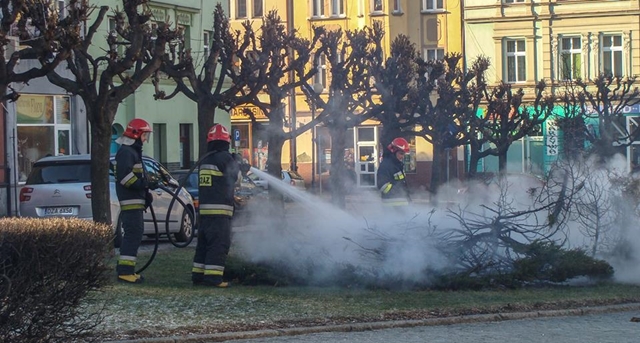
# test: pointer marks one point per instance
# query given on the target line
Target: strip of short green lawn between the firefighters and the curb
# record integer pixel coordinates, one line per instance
(167, 303)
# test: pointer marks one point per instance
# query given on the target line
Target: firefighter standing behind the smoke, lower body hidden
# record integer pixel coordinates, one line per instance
(391, 179)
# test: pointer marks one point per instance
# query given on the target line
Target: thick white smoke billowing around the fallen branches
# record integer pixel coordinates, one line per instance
(318, 238)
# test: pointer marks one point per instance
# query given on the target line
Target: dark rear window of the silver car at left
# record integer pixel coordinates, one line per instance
(78, 171)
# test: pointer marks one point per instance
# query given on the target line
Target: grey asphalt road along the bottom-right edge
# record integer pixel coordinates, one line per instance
(594, 328)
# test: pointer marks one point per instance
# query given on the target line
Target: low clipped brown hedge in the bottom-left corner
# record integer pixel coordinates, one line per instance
(49, 266)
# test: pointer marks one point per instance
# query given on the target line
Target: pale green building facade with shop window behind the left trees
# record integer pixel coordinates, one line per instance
(47, 121)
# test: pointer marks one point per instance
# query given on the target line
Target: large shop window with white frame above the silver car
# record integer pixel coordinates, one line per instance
(43, 129)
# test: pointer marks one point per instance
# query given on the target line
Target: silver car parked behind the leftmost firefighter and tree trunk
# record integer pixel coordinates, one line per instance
(60, 186)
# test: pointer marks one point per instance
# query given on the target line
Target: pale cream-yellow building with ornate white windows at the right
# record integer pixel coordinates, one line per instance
(553, 40)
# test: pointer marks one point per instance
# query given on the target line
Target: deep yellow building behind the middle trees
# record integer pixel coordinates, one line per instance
(433, 25)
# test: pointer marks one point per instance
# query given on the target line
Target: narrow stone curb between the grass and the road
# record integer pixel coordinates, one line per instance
(494, 317)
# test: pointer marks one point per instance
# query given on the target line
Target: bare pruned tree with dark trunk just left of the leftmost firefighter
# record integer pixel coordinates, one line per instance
(103, 82)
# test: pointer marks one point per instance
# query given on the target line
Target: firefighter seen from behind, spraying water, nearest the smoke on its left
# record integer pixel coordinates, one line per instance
(217, 178)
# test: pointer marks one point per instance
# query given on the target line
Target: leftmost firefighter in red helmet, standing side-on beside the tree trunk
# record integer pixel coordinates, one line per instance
(132, 188)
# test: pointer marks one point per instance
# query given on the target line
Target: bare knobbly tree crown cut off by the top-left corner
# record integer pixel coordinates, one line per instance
(43, 35)
